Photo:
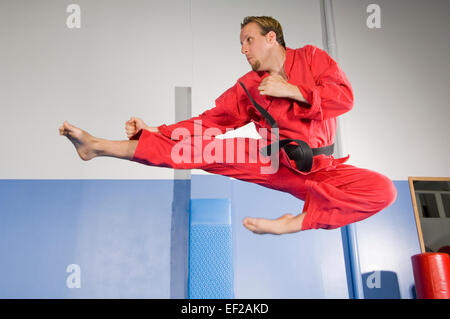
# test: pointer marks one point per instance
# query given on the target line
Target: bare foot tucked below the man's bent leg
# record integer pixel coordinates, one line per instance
(287, 223)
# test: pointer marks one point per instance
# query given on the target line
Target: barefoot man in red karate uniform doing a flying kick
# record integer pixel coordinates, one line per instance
(304, 90)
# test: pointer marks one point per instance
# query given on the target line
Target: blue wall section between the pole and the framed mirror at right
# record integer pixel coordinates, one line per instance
(386, 242)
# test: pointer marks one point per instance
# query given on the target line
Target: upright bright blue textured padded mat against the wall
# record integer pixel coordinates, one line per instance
(210, 249)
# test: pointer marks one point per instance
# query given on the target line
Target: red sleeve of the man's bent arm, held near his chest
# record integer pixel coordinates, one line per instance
(330, 94)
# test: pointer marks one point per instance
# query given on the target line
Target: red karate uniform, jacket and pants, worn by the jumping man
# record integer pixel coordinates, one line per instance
(335, 194)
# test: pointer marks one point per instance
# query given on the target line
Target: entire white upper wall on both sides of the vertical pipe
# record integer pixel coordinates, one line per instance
(129, 55)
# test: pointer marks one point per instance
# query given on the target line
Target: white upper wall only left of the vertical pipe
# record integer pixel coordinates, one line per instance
(125, 60)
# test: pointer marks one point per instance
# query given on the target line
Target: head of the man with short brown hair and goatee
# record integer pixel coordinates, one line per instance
(260, 37)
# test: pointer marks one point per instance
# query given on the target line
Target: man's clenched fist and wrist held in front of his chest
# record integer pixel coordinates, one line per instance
(277, 86)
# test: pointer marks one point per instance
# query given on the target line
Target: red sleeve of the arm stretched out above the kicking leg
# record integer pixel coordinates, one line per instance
(228, 113)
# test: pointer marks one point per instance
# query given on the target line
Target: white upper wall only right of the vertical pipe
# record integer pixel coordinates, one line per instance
(400, 76)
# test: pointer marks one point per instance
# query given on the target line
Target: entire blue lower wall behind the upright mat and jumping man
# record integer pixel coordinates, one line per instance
(129, 237)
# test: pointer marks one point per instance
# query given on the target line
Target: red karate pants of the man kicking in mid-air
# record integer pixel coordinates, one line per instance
(334, 197)
